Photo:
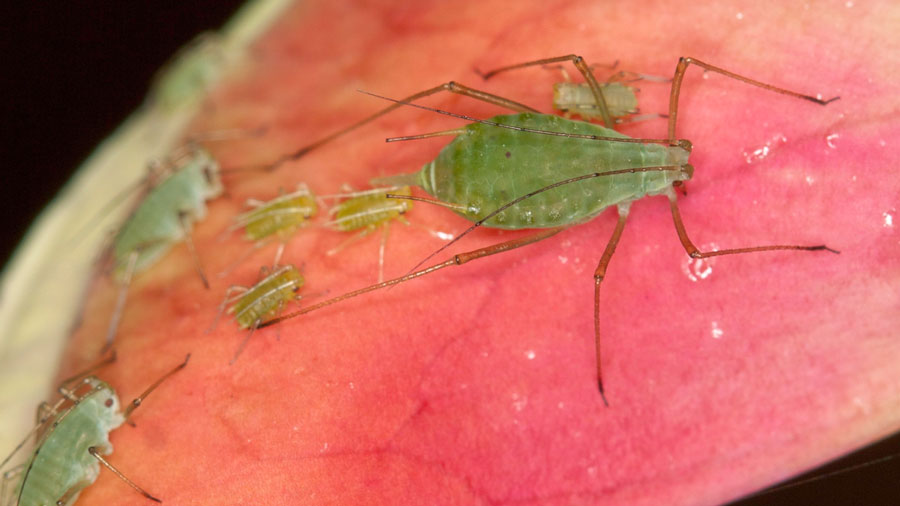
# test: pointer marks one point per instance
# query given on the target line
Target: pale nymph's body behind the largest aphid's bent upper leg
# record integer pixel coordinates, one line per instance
(576, 98)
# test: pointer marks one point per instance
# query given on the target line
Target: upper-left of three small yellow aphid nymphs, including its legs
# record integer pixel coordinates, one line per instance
(279, 218)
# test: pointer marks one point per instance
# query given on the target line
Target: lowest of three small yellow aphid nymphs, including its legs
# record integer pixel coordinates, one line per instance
(255, 305)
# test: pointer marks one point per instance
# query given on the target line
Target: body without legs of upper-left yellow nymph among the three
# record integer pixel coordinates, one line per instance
(282, 216)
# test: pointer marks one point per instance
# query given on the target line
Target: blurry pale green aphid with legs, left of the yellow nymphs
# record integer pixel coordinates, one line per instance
(163, 218)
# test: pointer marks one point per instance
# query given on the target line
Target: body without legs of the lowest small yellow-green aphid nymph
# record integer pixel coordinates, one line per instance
(265, 298)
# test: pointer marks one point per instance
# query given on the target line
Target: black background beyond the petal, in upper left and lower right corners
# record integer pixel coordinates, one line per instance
(73, 73)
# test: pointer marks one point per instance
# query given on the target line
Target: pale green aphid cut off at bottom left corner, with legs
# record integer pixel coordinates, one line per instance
(73, 437)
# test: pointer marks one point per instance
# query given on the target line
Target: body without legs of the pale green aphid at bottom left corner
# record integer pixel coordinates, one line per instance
(61, 459)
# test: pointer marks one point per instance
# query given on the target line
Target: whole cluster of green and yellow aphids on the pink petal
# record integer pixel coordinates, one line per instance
(502, 161)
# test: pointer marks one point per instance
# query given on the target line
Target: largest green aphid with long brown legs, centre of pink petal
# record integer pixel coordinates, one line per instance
(532, 170)
